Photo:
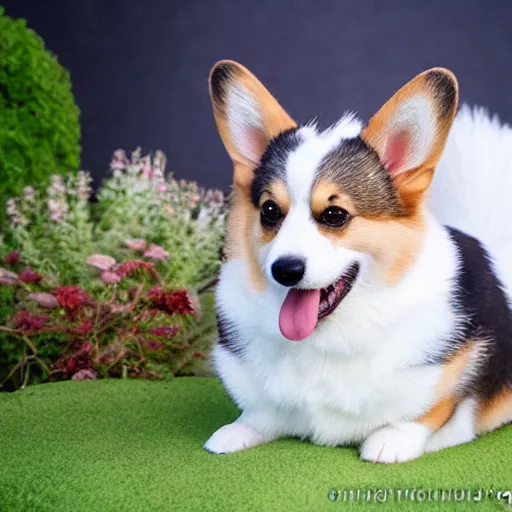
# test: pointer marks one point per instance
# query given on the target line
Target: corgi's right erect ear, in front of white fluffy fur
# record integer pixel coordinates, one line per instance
(409, 132)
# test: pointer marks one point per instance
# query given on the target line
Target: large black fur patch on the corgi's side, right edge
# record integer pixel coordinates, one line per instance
(480, 296)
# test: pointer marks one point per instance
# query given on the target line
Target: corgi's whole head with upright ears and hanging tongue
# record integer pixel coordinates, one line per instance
(310, 209)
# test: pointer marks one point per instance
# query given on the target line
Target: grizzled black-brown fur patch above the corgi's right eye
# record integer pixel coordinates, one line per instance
(356, 168)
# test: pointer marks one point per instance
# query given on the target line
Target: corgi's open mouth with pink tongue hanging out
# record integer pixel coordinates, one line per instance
(302, 309)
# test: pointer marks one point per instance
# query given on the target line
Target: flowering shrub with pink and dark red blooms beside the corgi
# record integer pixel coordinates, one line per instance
(120, 286)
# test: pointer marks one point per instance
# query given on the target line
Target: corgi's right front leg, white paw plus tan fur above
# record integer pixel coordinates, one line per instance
(404, 441)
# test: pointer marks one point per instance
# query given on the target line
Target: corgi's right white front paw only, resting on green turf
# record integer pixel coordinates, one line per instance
(400, 443)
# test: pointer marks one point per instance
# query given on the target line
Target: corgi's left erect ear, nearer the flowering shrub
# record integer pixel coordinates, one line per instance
(247, 116)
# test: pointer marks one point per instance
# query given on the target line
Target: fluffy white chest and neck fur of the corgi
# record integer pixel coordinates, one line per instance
(362, 368)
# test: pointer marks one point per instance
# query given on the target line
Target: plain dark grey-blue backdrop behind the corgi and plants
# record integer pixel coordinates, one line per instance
(139, 67)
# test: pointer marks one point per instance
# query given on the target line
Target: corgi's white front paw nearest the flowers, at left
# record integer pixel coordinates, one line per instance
(233, 438)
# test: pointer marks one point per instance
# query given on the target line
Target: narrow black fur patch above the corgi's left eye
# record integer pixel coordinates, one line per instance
(273, 162)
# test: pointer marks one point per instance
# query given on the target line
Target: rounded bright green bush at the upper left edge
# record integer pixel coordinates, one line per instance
(39, 128)
